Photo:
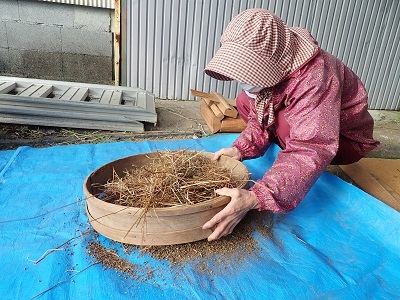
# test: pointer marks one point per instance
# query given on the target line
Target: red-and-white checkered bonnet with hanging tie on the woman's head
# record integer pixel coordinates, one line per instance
(259, 49)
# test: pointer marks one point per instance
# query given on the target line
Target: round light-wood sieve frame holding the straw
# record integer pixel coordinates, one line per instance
(161, 226)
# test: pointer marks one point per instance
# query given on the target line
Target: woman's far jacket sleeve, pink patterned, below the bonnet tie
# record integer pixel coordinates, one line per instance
(253, 140)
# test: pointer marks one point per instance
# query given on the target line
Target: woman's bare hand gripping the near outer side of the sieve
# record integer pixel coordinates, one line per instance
(225, 221)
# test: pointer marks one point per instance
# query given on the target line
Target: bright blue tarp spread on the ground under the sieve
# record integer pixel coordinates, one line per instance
(339, 243)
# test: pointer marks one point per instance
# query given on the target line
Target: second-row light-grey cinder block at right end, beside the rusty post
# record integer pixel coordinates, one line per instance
(86, 42)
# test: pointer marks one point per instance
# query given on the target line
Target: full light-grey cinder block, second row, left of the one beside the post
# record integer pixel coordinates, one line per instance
(33, 37)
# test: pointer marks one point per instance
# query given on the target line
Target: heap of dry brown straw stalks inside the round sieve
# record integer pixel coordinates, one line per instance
(169, 179)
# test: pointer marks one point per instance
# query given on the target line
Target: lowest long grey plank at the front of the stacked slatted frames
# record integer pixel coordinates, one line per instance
(72, 123)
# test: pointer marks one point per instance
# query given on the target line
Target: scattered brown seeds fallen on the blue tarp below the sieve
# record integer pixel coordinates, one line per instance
(221, 253)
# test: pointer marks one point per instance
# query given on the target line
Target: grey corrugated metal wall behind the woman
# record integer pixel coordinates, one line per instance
(169, 42)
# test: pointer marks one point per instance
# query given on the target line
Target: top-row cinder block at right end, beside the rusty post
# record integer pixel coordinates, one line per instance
(92, 18)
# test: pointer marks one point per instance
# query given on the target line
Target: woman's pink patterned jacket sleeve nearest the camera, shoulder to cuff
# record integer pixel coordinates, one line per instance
(313, 114)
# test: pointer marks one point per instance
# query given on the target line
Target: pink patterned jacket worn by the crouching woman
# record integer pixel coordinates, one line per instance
(322, 100)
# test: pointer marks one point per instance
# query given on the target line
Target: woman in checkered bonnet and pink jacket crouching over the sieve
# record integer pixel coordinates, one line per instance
(296, 95)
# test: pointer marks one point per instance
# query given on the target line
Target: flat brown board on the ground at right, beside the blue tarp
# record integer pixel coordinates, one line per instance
(378, 177)
